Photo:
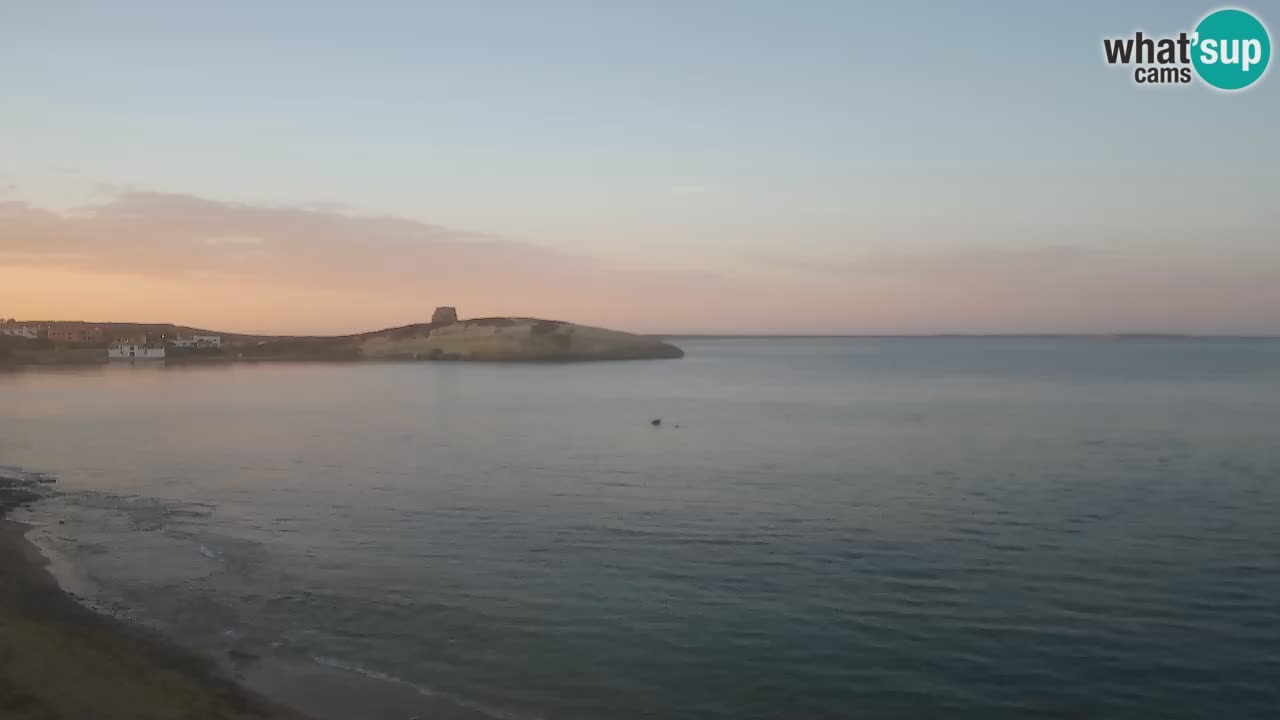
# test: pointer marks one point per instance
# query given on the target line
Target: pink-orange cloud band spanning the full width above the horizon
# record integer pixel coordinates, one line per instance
(241, 266)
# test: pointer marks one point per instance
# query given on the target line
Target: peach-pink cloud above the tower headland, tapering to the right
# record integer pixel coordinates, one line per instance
(380, 262)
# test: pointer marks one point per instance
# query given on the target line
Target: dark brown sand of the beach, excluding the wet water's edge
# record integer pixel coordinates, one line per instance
(60, 660)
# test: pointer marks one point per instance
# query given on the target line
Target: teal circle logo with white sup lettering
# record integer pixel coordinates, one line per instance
(1232, 49)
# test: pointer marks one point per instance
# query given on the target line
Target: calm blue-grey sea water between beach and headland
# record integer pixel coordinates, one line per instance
(820, 528)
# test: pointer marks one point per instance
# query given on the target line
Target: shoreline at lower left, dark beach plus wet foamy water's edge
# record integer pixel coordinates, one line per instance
(57, 628)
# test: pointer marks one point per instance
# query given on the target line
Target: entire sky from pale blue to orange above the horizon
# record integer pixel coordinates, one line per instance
(669, 167)
